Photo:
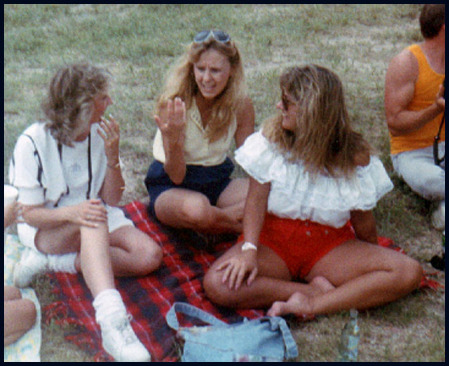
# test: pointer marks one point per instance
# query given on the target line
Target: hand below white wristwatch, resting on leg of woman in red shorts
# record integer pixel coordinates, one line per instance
(238, 267)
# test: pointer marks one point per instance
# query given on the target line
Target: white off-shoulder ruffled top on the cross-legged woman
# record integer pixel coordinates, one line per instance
(295, 195)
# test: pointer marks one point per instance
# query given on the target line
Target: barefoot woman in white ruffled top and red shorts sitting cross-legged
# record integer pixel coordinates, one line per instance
(309, 242)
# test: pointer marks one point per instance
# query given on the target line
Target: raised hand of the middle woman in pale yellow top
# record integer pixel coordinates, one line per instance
(172, 122)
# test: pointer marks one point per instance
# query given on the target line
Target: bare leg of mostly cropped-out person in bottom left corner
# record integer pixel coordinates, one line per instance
(19, 315)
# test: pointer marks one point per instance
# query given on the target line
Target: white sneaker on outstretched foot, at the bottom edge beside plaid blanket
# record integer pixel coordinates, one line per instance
(120, 341)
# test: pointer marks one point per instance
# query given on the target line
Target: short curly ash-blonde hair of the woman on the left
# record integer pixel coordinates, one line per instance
(70, 98)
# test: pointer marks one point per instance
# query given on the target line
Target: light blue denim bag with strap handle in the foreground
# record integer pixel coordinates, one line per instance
(263, 339)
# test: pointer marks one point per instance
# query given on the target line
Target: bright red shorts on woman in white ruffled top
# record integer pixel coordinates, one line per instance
(300, 244)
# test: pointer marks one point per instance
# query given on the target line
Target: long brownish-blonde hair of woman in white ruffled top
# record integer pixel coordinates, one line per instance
(323, 138)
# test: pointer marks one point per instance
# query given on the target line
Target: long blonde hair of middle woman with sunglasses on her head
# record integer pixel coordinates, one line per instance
(181, 83)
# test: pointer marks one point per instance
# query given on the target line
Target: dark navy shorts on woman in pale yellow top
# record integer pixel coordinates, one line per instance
(208, 180)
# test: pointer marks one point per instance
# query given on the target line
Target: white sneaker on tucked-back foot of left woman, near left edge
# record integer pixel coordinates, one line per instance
(31, 263)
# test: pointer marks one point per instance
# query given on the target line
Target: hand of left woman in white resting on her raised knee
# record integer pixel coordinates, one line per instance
(88, 213)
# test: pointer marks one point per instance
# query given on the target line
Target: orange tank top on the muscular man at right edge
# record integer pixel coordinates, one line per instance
(426, 88)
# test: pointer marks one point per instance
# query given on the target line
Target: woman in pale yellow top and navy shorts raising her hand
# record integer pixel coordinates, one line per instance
(203, 108)
